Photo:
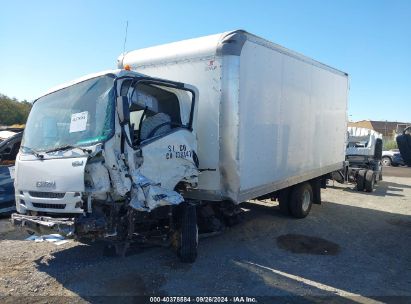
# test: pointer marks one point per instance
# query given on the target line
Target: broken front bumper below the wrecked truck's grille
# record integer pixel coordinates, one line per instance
(44, 224)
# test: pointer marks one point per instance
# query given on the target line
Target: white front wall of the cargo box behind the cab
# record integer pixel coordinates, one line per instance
(204, 73)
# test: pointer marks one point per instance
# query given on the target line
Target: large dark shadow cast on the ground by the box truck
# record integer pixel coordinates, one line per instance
(364, 241)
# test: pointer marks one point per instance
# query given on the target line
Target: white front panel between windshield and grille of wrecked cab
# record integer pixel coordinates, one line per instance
(51, 175)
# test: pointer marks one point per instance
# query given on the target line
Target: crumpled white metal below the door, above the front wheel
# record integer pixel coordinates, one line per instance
(147, 195)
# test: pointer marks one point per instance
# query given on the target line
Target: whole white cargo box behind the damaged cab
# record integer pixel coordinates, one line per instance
(267, 117)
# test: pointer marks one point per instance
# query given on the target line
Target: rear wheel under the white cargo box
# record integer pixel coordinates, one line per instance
(301, 200)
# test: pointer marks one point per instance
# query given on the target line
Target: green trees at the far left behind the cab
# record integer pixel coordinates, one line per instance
(13, 111)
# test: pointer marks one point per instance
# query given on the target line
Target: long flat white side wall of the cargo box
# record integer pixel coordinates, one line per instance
(293, 119)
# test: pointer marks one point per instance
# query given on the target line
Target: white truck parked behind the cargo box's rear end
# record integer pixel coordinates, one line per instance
(363, 156)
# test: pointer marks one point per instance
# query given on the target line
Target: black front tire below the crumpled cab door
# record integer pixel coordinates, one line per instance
(187, 250)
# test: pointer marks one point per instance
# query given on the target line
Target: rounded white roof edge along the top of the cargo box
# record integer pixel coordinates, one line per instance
(227, 43)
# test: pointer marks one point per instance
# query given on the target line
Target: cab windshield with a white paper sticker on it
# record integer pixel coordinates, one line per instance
(79, 115)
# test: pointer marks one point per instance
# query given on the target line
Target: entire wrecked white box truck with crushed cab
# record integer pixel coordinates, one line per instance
(174, 140)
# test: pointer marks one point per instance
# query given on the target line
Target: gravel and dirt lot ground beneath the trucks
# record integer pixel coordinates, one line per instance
(355, 247)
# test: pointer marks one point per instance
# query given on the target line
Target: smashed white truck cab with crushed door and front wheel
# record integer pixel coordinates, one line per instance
(110, 157)
